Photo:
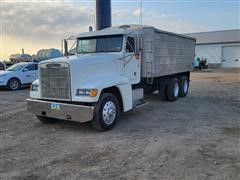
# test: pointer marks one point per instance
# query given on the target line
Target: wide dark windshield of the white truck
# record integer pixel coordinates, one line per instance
(111, 43)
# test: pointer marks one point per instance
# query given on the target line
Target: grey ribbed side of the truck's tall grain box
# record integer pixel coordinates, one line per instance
(170, 54)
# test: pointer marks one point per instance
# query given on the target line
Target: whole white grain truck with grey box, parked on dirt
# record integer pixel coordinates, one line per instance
(110, 72)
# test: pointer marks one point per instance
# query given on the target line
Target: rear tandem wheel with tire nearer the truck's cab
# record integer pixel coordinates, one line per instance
(173, 90)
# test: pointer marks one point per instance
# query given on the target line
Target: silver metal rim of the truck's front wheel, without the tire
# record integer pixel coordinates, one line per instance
(109, 112)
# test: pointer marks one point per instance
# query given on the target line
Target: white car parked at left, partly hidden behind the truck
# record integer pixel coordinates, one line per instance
(18, 75)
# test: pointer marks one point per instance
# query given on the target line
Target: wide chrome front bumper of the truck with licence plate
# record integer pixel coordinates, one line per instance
(64, 111)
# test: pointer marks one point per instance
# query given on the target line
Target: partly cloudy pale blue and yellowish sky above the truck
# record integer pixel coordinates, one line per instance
(35, 24)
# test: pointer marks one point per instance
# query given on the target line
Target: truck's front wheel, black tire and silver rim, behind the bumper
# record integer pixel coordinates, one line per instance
(106, 112)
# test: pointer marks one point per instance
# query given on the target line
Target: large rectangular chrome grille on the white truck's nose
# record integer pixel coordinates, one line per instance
(55, 81)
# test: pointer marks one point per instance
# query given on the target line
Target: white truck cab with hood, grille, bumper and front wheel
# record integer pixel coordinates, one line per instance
(93, 85)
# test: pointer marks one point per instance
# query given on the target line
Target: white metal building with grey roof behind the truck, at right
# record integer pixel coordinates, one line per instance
(220, 48)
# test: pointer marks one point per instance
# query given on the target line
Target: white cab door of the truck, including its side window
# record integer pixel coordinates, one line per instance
(132, 61)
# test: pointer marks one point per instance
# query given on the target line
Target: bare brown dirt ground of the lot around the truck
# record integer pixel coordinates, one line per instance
(196, 137)
